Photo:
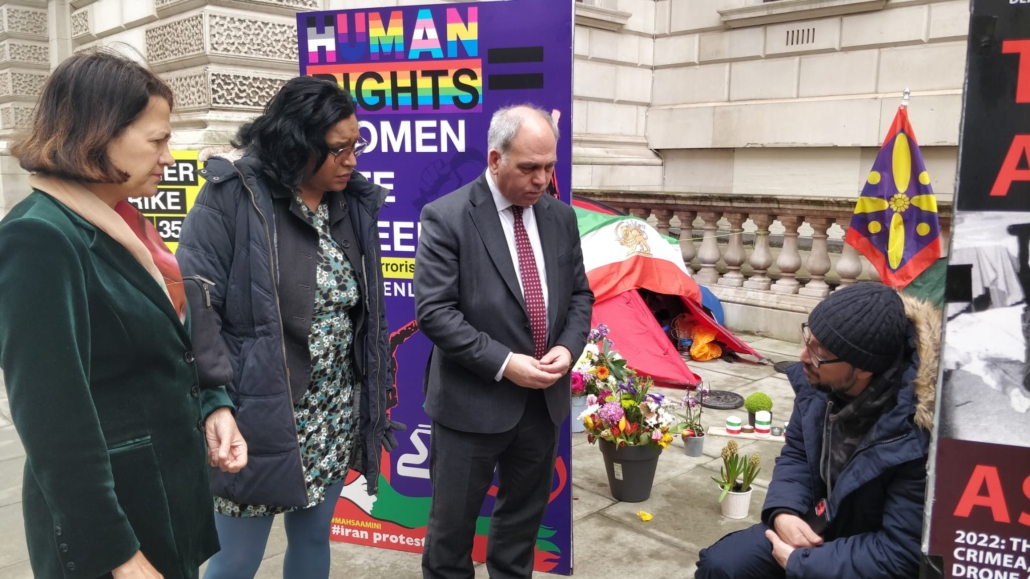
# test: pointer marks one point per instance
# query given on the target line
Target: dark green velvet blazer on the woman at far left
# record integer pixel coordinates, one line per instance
(105, 395)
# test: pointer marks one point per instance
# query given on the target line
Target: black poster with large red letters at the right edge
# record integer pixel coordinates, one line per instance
(980, 510)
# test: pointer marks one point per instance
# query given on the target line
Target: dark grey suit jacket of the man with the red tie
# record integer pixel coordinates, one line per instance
(469, 304)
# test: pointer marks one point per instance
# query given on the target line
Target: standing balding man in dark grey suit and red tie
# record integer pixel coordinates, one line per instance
(502, 293)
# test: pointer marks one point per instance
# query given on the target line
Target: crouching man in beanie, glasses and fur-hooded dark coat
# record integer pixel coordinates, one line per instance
(847, 494)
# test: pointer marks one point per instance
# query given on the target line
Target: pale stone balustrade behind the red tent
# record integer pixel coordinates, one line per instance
(769, 260)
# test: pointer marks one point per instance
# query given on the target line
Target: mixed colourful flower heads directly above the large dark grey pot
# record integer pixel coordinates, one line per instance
(630, 415)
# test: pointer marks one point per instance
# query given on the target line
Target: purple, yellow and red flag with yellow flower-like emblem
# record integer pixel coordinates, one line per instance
(896, 224)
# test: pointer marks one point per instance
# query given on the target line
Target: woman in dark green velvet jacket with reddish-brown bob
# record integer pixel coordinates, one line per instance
(95, 345)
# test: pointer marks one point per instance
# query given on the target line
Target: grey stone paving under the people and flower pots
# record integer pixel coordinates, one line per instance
(683, 502)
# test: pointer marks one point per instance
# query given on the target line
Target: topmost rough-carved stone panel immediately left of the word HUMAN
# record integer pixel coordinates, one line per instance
(233, 36)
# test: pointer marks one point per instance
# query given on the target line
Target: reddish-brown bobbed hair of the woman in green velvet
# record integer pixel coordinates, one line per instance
(89, 100)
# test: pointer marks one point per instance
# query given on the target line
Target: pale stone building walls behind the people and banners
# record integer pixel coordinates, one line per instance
(740, 97)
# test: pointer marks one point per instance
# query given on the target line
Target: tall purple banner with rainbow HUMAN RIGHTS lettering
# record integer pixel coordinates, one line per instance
(427, 81)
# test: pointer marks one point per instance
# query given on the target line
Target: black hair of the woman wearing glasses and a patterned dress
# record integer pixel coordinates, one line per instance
(292, 131)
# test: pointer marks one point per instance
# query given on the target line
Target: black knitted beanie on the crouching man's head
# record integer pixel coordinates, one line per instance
(864, 325)
